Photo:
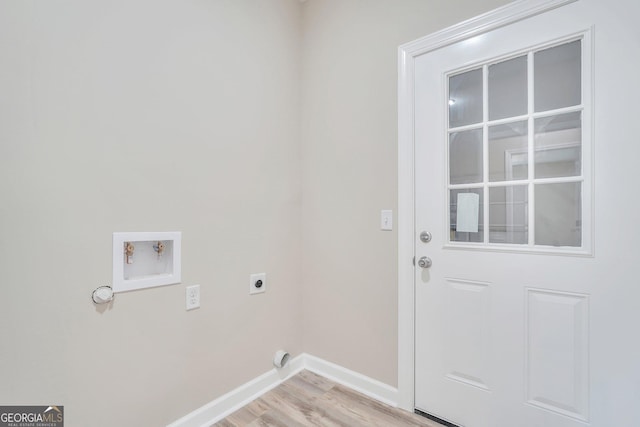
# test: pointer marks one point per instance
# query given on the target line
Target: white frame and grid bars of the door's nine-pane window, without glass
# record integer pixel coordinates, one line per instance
(584, 178)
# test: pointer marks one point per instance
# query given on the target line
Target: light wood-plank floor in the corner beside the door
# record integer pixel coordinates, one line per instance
(308, 399)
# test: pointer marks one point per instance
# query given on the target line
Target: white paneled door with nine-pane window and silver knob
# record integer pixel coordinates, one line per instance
(526, 222)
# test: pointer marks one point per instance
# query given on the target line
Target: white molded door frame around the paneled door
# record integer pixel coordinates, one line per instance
(407, 54)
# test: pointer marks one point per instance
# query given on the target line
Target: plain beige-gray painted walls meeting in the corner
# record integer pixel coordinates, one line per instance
(264, 131)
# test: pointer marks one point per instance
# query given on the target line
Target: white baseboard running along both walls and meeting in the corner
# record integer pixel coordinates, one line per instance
(228, 403)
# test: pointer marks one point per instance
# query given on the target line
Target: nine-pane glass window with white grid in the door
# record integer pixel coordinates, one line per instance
(516, 151)
